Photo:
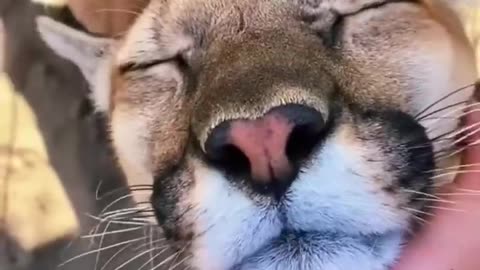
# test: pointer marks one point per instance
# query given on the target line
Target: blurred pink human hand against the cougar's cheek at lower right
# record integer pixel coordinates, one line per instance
(451, 239)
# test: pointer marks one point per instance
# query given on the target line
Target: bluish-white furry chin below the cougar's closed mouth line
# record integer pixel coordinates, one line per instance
(311, 249)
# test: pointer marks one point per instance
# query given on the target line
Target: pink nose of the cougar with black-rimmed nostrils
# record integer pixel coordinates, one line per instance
(267, 151)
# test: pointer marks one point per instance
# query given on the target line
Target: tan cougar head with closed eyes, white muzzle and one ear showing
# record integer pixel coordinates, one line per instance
(282, 134)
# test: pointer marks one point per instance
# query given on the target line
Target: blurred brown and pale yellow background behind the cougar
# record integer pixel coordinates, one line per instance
(40, 214)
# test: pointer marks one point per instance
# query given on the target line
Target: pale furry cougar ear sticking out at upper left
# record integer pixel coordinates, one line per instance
(91, 55)
